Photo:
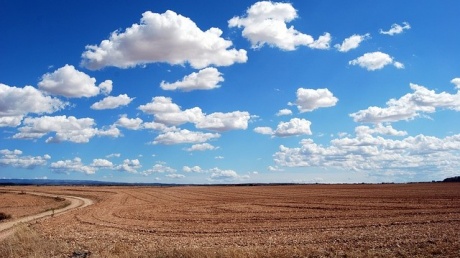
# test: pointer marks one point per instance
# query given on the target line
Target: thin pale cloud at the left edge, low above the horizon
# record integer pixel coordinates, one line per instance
(14, 158)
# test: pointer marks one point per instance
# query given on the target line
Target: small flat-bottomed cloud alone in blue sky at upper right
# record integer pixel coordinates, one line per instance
(375, 61)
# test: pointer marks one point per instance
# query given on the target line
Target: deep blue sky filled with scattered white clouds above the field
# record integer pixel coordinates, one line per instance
(215, 92)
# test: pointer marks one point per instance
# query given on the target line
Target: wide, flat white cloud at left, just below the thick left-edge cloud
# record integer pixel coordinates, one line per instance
(78, 130)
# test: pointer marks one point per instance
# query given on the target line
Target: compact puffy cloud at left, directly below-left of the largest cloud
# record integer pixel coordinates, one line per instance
(69, 82)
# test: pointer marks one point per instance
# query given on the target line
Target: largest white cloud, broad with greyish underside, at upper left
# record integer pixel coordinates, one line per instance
(166, 37)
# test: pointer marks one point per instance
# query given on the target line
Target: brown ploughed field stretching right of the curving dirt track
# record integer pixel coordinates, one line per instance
(387, 220)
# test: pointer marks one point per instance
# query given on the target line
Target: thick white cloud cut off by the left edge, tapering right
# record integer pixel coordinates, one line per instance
(15, 103)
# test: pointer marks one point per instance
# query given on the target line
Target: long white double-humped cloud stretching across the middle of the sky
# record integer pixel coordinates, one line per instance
(171, 114)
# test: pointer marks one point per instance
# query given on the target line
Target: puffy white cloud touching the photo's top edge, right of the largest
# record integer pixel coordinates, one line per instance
(265, 22)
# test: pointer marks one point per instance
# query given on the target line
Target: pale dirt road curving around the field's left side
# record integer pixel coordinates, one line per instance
(7, 228)
